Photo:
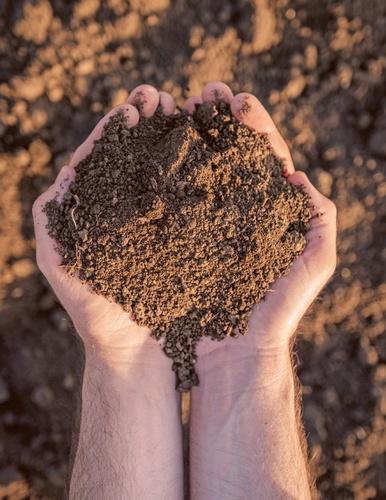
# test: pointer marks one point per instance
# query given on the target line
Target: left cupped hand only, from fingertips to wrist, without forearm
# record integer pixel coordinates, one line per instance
(99, 323)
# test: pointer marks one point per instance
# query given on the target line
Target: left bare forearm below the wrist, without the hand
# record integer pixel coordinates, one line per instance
(130, 443)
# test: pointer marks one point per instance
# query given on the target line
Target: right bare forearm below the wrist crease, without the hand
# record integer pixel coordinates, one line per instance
(245, 440)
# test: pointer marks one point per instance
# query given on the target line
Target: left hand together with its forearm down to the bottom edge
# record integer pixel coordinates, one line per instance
(131, 417)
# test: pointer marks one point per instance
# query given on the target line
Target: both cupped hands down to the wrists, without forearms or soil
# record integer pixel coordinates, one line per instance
(104, 326)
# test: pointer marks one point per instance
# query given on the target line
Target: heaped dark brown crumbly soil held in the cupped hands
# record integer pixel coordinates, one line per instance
(185, 221)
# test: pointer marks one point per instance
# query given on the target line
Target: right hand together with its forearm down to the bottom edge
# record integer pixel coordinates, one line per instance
(248, 383)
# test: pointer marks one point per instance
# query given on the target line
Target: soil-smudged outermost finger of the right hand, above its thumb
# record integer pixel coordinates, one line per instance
(249, 110)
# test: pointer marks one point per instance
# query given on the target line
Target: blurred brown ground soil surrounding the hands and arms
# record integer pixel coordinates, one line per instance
(319, 67)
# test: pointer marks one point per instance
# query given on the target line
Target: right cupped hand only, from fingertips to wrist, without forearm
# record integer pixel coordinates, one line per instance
(273, 322)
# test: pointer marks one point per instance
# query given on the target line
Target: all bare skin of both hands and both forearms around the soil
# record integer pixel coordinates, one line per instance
(244, 425)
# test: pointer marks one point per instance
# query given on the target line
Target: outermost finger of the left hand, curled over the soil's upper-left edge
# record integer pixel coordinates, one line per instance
(132, 117)
